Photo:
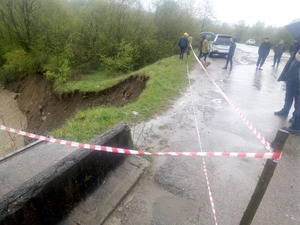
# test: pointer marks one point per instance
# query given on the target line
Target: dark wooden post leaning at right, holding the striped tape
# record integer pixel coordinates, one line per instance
(264, 179)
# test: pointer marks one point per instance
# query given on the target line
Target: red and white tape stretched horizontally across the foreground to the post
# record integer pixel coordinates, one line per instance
(275, 155)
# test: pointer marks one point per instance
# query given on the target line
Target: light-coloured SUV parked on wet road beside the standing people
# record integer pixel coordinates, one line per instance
(220, 45)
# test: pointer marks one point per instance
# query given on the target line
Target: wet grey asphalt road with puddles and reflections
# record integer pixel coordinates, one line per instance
(175, 190)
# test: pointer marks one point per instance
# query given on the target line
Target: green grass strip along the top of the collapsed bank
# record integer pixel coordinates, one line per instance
(167, 78)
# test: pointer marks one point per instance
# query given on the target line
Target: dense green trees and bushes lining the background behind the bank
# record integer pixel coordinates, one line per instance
(60, 39)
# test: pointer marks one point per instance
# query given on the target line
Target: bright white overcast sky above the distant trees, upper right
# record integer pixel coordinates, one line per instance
(275, 13)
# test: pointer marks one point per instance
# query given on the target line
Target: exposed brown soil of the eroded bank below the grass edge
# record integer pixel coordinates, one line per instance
(46, 110)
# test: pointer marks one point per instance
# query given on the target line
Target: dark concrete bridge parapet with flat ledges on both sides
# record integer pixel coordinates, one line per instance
(44, 182)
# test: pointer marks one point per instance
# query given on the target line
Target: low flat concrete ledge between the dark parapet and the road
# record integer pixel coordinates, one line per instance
(98, 206)
